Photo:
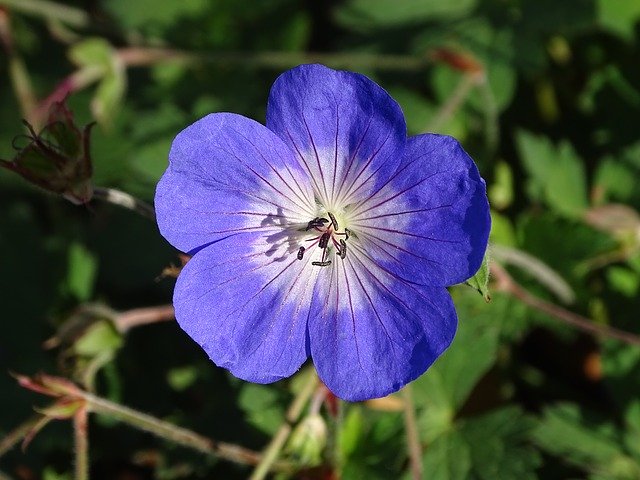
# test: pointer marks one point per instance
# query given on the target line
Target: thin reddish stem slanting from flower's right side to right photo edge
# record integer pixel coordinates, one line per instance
(505, 283)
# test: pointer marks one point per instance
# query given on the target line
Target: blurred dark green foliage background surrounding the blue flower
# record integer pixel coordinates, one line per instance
(544, 95)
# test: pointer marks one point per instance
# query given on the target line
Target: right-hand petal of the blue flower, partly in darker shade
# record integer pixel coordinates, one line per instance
(430, 223)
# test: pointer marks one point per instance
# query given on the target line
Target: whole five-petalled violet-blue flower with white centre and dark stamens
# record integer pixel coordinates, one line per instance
(326, 234)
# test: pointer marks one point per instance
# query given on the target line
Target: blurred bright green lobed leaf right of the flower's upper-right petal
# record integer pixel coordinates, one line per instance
(557, 174)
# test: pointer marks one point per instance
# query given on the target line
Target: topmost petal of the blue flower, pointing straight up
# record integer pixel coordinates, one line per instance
(343, 127)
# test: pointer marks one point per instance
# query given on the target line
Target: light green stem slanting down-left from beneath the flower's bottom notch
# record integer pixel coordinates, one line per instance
(272, 451)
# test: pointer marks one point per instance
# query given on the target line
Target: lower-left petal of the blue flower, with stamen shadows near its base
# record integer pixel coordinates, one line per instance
(245, 300)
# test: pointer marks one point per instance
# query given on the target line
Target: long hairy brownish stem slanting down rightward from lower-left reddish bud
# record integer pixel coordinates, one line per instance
(175, 434)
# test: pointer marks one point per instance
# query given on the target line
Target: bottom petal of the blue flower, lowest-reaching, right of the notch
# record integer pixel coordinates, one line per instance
(371, 334)
